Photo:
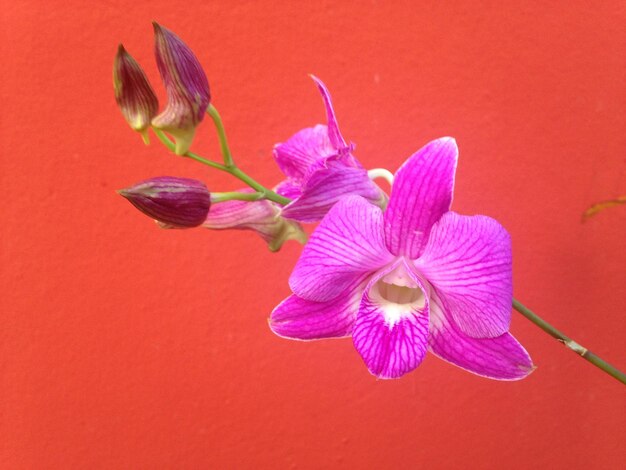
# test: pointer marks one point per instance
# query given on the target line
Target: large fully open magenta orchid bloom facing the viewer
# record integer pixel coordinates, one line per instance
(417, 277)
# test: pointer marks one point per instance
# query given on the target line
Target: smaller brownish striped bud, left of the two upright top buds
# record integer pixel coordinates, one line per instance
(133, 93)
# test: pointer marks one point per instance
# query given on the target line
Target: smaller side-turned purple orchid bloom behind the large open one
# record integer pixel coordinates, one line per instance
(321, 169)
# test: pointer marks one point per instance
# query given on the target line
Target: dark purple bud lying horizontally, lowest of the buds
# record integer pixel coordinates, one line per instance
(176, 202)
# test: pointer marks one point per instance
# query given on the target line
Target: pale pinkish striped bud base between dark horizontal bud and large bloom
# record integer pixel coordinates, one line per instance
(262, 216)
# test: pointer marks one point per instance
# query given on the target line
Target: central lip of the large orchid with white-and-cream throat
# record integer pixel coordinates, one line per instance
(391, 328)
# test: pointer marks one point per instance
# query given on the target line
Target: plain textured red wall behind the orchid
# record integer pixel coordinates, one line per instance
(125, 346)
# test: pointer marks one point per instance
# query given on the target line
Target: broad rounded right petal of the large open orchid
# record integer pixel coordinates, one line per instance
(468, 261)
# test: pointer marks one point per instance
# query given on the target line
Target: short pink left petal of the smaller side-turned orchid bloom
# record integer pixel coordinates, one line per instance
(300, 151)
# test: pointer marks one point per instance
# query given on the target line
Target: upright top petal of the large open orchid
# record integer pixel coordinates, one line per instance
(421, 194)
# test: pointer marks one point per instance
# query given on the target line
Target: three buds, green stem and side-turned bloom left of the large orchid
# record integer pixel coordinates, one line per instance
(317, 162)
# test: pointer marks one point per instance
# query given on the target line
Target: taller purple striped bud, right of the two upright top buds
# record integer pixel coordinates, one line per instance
(186, 85)
